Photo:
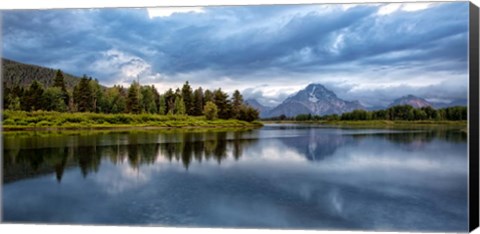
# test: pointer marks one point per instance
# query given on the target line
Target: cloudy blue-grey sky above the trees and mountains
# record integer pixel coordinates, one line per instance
(373, 53)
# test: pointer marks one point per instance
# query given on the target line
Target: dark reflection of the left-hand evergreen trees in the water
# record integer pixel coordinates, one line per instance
(184, 147)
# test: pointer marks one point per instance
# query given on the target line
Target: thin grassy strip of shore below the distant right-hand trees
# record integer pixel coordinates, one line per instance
(381, 123)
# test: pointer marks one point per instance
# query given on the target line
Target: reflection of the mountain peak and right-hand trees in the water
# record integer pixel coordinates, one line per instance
(318, 144)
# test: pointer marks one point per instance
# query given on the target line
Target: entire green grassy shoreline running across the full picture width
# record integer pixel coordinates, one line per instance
(55, 121)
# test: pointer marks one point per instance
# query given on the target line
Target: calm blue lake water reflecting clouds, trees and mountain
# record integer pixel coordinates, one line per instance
(279, 176)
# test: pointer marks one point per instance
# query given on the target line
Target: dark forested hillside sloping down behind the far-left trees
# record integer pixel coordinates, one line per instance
(24, 74)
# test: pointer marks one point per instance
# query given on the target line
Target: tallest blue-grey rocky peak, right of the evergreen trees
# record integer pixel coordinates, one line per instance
(315, 99)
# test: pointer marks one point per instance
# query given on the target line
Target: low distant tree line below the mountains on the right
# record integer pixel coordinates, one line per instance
(400, 112)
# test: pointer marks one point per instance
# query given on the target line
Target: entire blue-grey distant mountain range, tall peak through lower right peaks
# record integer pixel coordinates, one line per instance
(315, 99)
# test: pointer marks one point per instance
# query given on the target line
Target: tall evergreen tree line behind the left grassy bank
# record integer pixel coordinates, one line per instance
(88, 96)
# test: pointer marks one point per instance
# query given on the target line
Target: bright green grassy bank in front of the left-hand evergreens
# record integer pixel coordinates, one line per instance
(38, 120)
